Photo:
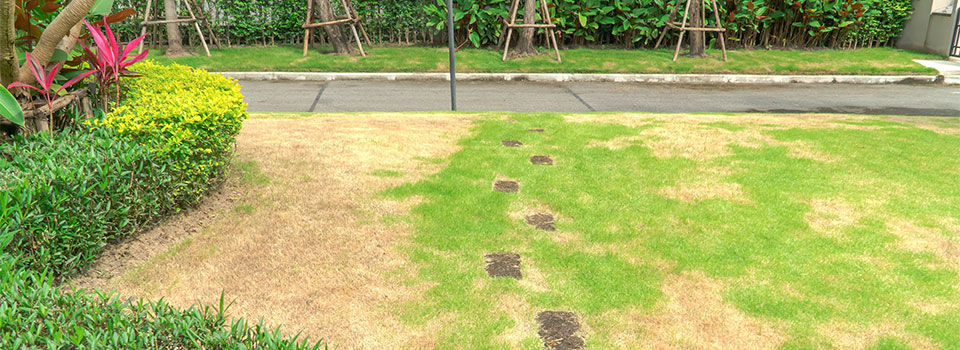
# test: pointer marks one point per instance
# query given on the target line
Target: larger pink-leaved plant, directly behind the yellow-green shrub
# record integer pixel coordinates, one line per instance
(110, 61)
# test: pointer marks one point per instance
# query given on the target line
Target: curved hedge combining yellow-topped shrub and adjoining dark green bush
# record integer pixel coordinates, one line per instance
(64, 197)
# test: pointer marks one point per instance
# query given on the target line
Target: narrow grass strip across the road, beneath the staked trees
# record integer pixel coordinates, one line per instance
(431, 59)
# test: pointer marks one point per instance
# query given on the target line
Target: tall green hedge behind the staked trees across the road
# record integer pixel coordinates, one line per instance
(624, 23)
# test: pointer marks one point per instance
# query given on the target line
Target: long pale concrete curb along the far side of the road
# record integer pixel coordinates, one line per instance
(613, 78)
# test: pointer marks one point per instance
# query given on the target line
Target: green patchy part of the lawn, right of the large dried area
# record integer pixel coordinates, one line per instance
(822, 231)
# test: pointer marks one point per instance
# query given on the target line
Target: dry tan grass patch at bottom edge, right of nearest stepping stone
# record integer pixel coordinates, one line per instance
(696, 317)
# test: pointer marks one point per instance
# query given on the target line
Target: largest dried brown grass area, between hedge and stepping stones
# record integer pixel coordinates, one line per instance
(315, 255)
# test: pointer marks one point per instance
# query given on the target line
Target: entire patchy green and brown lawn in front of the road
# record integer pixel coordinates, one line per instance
(676, 231)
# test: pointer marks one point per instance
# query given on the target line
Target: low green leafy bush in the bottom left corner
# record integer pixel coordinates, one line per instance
(34, 313)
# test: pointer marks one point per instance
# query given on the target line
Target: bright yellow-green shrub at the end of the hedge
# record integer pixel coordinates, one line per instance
(185, 115)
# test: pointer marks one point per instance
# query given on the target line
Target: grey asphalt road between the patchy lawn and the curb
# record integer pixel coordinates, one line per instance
(403, 96)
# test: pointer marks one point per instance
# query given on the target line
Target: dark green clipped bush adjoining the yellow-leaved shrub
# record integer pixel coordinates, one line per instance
(64, 196)
